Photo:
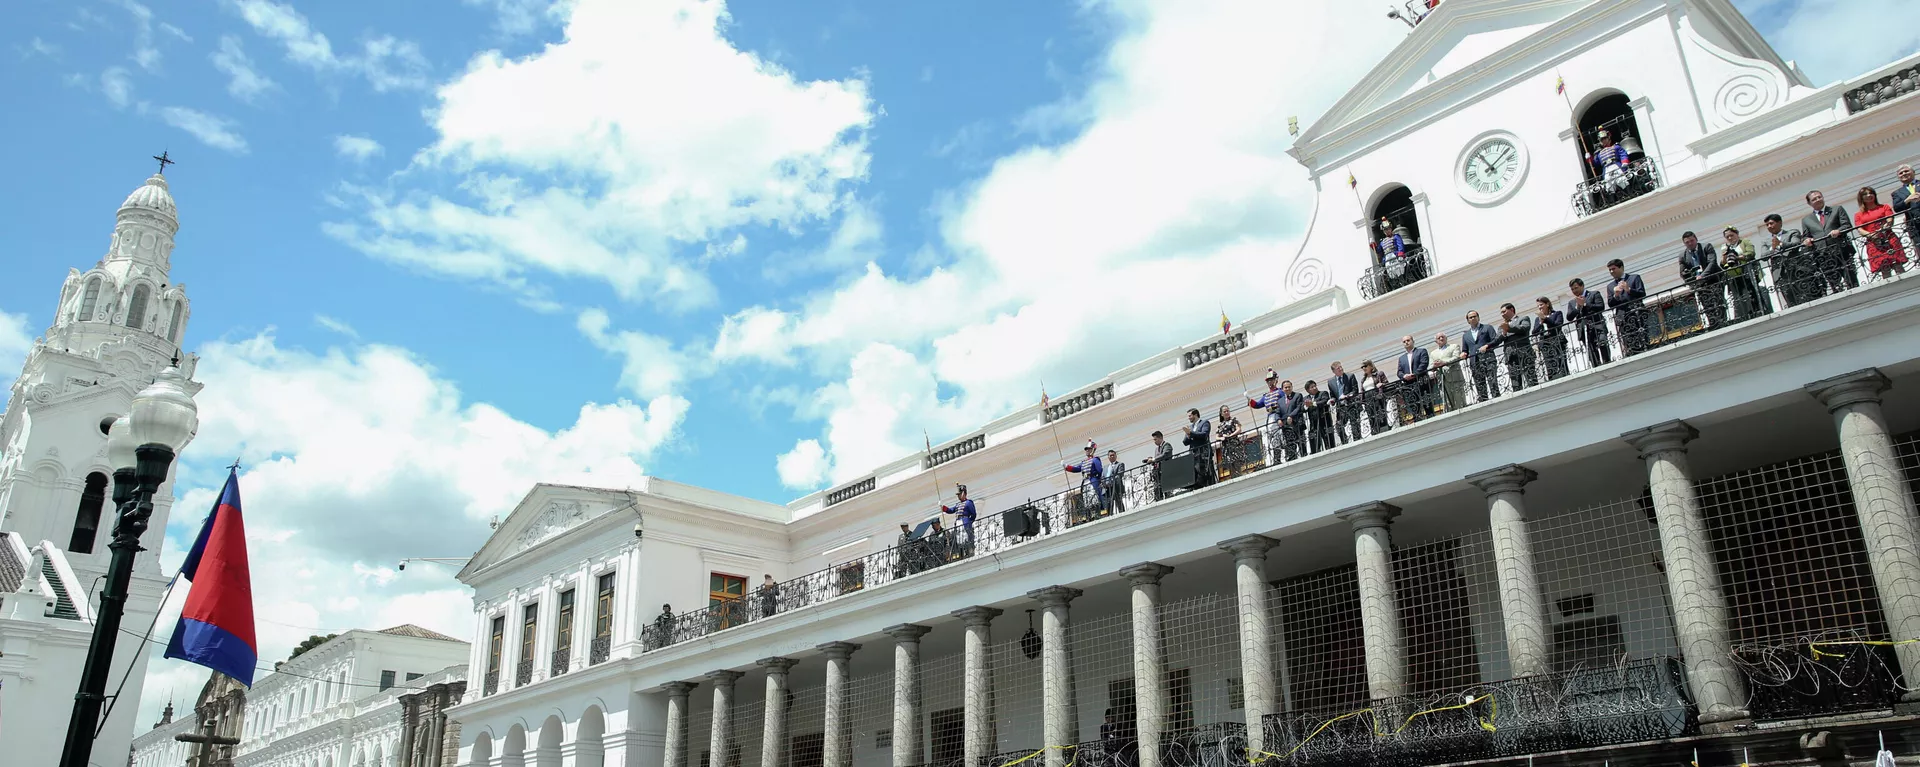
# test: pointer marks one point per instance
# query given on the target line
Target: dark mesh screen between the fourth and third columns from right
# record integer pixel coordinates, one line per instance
(1445, 589)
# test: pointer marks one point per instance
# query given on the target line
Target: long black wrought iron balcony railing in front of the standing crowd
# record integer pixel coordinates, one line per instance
(1520, 362)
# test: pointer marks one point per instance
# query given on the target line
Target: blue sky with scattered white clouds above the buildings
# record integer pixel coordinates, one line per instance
(441, 251)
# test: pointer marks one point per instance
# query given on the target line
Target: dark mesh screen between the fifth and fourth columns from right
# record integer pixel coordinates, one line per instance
(1324, 656)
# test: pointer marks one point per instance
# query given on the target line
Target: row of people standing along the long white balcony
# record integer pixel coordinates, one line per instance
(1527, 343)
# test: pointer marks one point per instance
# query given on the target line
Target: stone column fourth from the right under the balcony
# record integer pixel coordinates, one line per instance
(1380, 610)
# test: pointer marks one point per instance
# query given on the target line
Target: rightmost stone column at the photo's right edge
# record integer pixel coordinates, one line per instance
(1883, 501)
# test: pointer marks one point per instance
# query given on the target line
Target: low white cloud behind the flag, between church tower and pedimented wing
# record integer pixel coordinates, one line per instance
(362, 457)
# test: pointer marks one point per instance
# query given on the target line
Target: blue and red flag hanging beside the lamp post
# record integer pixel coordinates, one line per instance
(218, 622)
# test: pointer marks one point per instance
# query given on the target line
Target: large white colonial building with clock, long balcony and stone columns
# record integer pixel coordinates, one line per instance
(1677, 524)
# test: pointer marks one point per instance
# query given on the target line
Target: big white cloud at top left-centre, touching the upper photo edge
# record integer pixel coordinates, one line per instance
(564, 180)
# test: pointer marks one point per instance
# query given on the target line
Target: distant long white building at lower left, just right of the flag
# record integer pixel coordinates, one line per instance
(345, 703)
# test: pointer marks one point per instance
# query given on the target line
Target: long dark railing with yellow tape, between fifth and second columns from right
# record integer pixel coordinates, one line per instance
(1585, 708)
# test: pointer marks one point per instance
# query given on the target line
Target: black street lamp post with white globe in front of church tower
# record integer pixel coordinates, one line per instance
(141, 447)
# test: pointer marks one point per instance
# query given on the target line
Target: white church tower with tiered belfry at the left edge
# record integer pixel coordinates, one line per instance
(114, 330)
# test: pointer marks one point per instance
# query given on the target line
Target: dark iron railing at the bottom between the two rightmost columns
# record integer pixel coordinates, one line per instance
(1817, 678)
